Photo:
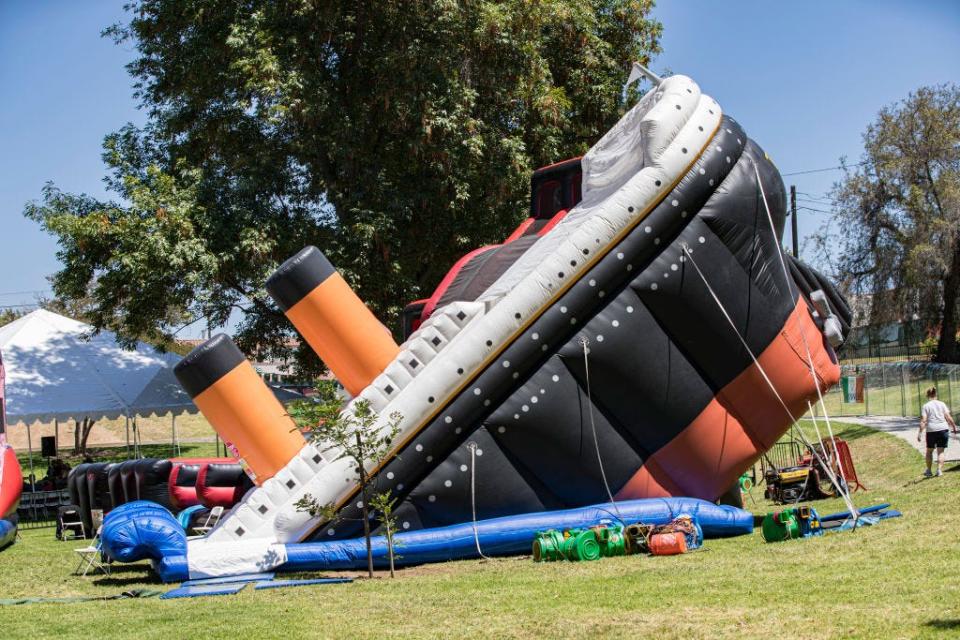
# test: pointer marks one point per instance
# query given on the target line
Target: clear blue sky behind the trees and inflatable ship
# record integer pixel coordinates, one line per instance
(803, 78)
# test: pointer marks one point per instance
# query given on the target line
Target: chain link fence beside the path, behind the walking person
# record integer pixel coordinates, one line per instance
(892, 388)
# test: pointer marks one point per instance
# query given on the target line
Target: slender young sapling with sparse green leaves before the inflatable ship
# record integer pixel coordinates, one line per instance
(358, 437)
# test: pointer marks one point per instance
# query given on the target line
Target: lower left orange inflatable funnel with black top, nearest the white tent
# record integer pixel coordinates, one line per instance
(242, 409)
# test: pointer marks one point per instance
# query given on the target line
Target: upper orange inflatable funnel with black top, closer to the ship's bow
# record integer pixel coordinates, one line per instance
(332, 319)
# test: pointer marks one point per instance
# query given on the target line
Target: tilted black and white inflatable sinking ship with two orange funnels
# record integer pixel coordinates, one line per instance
(640, 332)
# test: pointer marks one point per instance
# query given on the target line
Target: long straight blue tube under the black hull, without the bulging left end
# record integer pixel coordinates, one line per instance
(511, 535)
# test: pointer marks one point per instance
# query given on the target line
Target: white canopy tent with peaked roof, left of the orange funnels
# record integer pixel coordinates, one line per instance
(58, 369)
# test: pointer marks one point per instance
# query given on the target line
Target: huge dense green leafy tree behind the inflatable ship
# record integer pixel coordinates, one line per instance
(394, 134)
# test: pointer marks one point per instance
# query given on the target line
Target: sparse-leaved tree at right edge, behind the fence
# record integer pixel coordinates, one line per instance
(899, 215)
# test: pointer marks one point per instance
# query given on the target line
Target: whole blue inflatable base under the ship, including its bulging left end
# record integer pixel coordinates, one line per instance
(143, 530)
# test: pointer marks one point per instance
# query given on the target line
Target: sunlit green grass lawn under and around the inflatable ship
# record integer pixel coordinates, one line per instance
(896, 580)
